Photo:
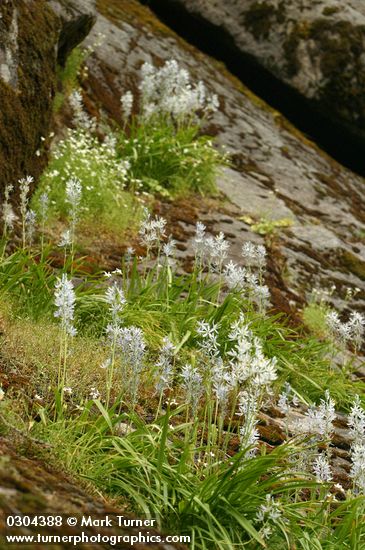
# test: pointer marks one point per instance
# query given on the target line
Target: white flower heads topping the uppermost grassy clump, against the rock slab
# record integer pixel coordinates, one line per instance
(168, 91)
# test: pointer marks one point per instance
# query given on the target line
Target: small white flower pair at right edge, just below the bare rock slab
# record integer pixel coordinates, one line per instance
(352, 331)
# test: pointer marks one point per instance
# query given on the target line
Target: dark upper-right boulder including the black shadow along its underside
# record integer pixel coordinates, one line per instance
(314, 47)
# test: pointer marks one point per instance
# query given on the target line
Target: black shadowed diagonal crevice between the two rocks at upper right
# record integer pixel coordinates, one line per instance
(338, 140)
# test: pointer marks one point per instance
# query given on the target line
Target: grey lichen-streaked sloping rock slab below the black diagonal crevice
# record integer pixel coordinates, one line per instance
(276, 173)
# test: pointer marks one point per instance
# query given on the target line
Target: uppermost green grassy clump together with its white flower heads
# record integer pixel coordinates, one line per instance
(163, 143)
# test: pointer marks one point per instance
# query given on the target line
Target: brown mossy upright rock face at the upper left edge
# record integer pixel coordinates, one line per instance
(28, 39)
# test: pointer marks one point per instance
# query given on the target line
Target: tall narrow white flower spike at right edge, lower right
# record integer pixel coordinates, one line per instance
(356, 422)
